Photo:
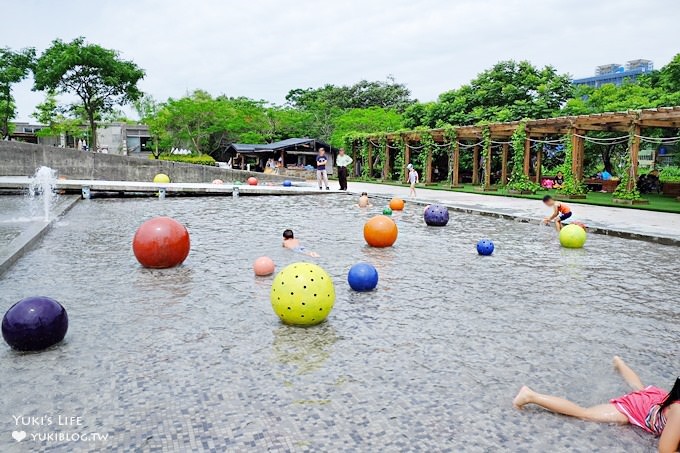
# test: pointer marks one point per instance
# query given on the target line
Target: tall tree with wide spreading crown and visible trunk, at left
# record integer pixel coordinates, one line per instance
(97, 76)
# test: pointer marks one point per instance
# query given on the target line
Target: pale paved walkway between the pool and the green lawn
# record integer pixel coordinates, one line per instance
(633, 223)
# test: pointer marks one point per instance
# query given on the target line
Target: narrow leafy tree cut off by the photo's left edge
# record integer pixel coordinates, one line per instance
(14, 67)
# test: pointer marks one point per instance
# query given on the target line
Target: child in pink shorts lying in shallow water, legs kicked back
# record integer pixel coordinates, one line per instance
(652, 409)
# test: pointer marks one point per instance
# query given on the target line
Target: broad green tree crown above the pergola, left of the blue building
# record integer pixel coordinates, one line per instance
(508, 91)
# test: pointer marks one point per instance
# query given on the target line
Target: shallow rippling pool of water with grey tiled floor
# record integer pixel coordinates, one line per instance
(194, 358)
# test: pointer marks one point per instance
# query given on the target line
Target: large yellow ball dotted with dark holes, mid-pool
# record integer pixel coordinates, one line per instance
(302, 294)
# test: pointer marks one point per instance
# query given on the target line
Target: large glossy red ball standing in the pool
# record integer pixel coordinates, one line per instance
(160, 243)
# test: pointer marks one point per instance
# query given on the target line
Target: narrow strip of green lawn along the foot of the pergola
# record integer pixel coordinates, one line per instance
(656, 202)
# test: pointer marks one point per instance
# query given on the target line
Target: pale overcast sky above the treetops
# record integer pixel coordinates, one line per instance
(264, 48)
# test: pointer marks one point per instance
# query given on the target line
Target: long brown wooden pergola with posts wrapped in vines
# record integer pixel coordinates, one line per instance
(632, 122)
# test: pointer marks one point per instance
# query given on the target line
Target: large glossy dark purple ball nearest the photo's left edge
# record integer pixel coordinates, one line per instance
(34, 323)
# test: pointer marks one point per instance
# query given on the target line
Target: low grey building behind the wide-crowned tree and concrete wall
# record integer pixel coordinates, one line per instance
(113, 138)
